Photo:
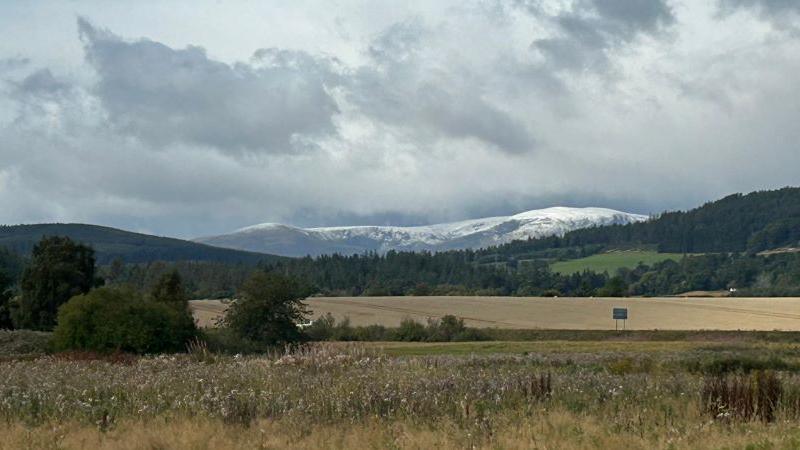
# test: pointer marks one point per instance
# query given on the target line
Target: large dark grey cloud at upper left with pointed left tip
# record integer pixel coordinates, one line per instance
(164, 96)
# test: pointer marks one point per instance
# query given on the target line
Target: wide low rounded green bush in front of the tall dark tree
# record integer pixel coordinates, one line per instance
(109, 320)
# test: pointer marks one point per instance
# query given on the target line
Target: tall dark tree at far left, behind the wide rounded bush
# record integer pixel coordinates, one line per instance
(59, 270)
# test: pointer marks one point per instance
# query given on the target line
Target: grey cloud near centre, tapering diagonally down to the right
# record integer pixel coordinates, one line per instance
(402, 88)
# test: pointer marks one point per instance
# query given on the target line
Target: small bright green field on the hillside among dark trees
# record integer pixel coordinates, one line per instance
(612, 261)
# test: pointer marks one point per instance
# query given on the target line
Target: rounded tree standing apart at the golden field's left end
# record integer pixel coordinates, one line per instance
(268, 310)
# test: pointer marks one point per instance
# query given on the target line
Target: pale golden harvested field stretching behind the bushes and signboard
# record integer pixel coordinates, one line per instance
(665, 313)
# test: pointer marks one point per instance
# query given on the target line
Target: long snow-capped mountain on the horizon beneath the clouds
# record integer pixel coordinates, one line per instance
(286, 240)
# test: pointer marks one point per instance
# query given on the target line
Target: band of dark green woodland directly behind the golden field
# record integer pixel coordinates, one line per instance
(468, 273)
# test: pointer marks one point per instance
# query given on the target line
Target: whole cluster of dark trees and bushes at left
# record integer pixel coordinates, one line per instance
(59, 290)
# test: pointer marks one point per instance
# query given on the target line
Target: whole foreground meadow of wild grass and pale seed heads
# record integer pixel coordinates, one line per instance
(343, 395)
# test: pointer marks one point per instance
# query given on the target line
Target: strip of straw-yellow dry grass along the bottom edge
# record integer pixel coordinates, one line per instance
(548, 430)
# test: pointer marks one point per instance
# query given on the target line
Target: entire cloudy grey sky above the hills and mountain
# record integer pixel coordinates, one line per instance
(193, 118)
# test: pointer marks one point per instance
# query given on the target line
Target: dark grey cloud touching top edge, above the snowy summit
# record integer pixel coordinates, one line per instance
(593, 27)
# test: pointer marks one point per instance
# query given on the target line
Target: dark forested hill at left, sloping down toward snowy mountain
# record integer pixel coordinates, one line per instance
(111, 243)
